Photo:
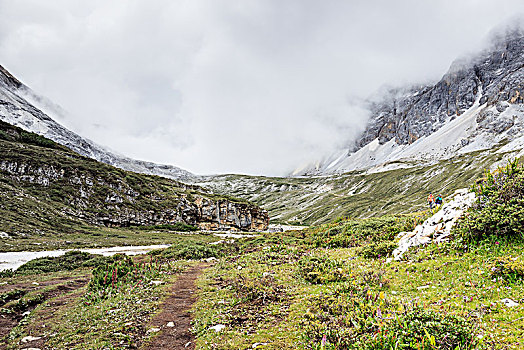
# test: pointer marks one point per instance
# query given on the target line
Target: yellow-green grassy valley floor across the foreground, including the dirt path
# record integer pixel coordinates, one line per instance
(294, 290)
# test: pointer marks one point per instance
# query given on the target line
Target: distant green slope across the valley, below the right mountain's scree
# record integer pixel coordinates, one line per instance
(321, 199)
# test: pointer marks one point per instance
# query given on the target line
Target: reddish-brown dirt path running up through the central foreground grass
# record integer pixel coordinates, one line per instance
(176, 309)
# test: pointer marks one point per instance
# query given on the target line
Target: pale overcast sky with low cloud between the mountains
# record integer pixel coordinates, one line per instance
(236, 86)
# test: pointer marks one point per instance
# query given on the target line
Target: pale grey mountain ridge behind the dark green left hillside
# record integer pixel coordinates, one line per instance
(18, 106)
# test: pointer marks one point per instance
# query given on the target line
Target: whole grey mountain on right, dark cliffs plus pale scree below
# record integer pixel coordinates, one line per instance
(477, 104)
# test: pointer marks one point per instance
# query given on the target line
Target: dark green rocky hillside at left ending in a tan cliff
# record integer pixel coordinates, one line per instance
(45, 187)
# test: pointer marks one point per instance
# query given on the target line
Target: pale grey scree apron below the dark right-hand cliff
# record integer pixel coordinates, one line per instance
(459, 135)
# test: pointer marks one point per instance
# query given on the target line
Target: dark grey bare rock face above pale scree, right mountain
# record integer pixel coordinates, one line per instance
(405, 115)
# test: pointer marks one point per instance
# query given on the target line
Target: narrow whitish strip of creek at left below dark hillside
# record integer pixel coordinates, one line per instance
(13, 260)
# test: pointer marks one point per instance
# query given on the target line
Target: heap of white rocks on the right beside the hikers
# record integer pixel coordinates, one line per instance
(438, 227)
